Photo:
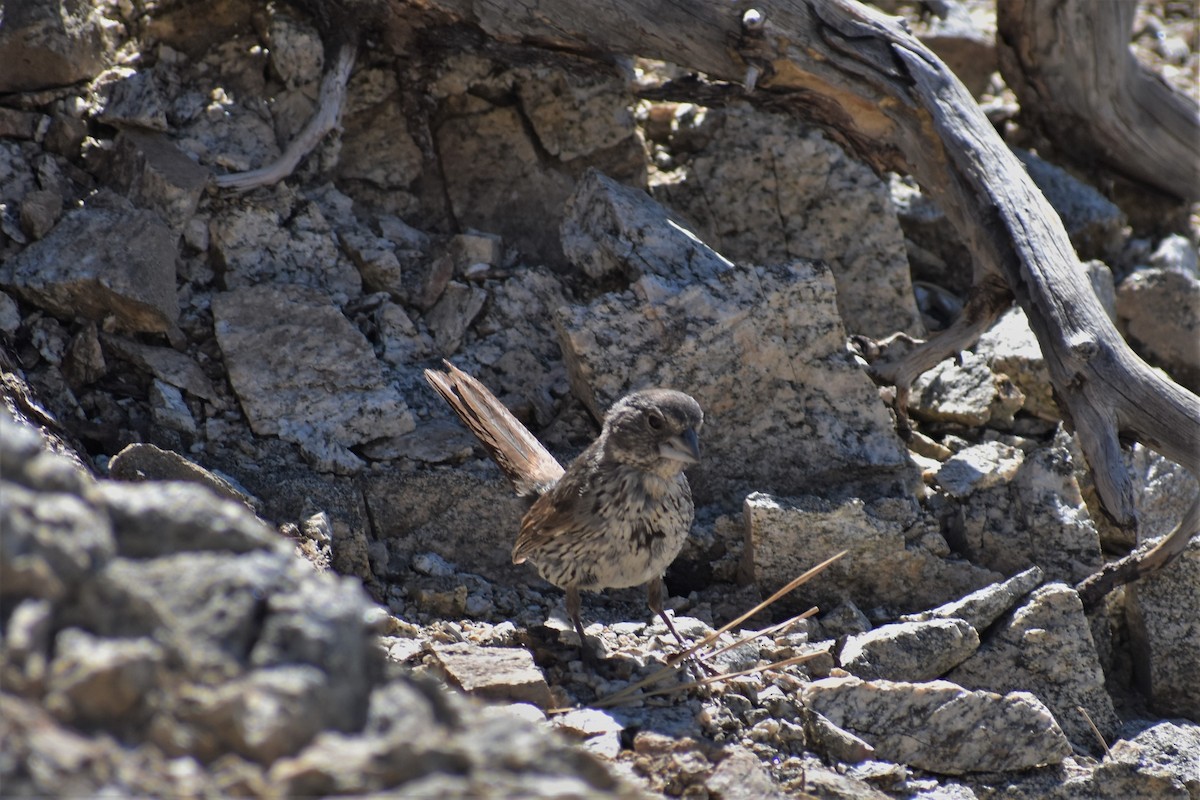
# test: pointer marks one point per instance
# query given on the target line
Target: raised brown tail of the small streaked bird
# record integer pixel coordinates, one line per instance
(524, 460)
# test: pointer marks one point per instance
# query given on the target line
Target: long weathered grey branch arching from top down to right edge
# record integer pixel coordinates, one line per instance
(885, 97)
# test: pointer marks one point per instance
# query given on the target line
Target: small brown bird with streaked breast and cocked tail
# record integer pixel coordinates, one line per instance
(620, 514)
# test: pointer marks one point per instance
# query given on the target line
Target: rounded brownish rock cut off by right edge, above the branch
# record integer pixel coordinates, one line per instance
(1160, 315)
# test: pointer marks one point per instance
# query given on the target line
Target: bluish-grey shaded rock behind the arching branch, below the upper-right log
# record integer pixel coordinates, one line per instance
(1096, 226)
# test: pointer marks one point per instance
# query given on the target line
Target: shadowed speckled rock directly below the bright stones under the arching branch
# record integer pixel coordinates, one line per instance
(1036, 518)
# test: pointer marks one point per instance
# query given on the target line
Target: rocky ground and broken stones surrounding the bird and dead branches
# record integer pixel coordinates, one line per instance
(321, 599)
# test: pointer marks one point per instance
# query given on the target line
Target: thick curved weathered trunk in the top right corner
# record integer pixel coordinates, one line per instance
(1071, 67)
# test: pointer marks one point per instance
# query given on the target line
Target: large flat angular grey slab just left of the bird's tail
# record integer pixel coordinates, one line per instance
(304, 374)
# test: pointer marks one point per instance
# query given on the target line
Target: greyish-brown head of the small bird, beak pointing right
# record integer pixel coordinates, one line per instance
(655, 430)
